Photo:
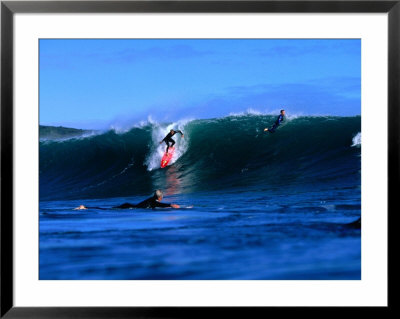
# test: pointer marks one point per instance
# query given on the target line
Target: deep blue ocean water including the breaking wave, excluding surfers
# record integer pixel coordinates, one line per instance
(254, 205)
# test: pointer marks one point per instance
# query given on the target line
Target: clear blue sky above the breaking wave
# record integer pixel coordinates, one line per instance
(102, 83)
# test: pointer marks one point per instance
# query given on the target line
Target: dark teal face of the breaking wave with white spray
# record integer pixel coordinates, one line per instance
(231, 153)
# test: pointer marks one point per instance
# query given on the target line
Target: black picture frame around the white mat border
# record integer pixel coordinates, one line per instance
(9, 8)
